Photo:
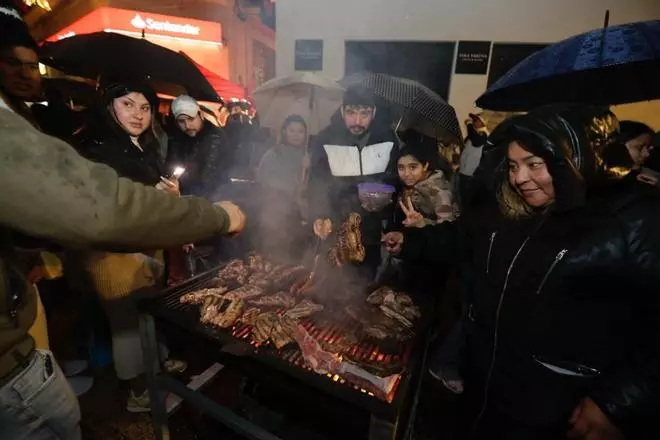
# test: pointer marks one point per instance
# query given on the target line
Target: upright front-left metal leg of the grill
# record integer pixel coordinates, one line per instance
(152, 369)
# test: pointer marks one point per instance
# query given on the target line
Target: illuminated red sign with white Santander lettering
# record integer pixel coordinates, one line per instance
(153, 25)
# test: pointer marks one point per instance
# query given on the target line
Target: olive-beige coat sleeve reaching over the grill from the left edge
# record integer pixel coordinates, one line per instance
(47, 190)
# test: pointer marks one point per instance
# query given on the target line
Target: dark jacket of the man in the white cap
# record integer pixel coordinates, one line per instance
(206, 158)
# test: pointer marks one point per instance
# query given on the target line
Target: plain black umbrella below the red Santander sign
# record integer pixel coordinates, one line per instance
(103, 53)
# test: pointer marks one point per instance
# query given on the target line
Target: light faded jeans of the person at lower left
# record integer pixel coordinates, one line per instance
(38, 404)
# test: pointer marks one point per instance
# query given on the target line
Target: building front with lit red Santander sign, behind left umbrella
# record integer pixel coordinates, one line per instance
(228, 38)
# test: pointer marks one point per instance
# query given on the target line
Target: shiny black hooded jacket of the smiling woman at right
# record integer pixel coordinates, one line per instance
(566, 302)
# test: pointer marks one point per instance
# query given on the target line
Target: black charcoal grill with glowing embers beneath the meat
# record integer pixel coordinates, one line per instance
(325, 328)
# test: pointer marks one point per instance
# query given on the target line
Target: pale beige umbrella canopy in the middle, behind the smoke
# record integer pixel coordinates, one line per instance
(309, 95)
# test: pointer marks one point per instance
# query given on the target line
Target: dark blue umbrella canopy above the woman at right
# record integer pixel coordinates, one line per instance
(613, 65)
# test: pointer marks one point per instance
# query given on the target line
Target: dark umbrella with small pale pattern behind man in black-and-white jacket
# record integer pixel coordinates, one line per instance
(418, 106)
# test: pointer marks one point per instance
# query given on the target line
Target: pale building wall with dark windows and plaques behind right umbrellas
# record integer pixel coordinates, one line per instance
(384, 35)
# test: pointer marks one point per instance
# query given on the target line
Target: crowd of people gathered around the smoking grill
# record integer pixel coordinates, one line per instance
(551, 218)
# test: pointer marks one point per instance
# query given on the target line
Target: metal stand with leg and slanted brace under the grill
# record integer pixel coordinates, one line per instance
(158, 383)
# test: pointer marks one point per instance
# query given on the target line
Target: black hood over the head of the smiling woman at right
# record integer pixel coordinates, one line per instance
(576, 142)
